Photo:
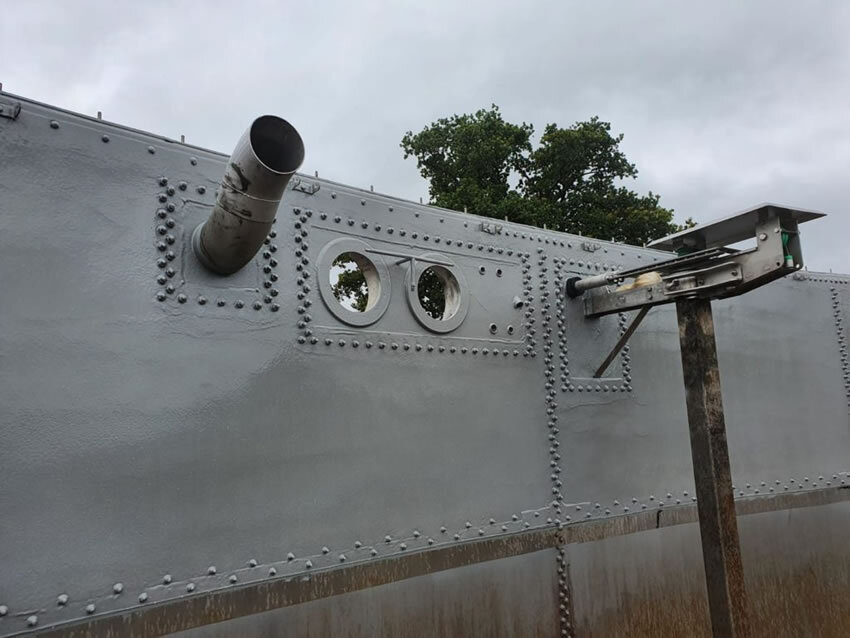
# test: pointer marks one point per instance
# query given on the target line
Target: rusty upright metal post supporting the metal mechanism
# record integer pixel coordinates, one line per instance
(721, 551)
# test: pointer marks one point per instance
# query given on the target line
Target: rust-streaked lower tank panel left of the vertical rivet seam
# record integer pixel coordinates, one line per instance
(511, 597)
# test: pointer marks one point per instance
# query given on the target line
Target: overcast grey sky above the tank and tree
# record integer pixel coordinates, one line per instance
(723, 104)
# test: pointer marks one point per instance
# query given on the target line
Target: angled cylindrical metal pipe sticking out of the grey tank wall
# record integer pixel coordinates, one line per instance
(265, 158)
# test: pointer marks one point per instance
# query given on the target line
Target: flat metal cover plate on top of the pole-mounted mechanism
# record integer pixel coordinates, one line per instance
(734, 227)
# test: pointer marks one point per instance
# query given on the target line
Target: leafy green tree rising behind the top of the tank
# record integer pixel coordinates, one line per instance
(571, 182)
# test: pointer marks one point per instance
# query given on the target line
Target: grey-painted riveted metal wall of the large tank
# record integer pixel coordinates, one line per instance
(164, 427)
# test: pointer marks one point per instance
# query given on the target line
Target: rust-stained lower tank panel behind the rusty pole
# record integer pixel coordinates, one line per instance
(796, 566)
